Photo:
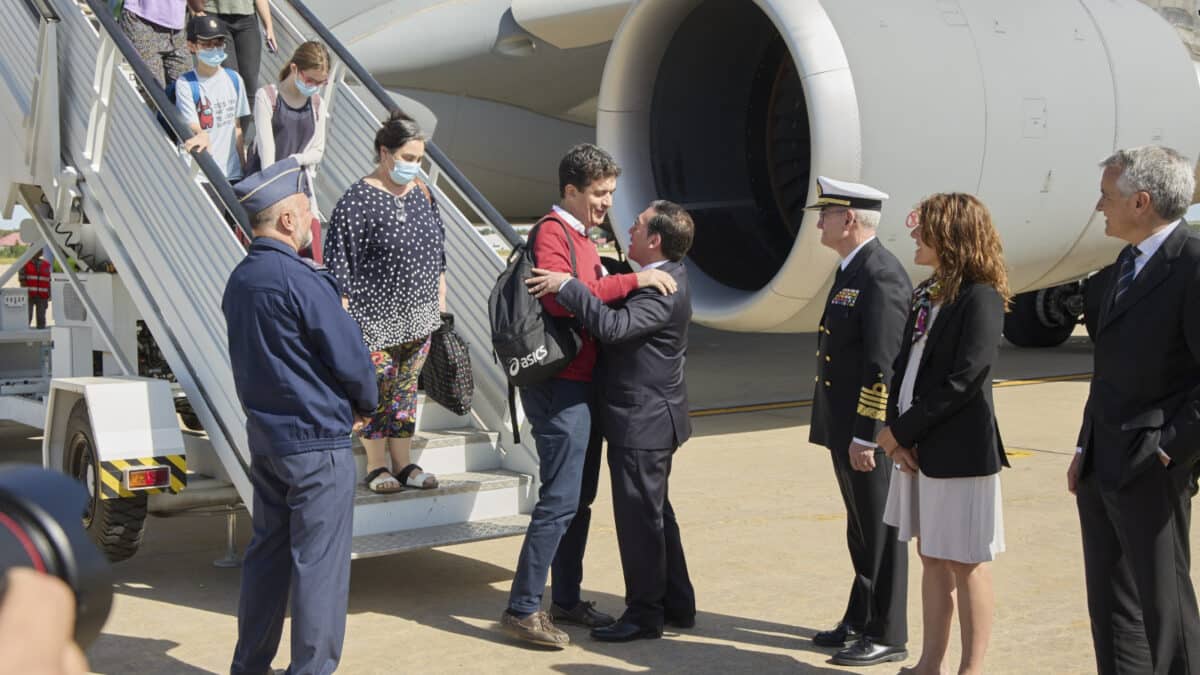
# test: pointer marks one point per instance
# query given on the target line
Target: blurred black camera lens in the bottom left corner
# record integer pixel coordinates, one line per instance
(41, 528)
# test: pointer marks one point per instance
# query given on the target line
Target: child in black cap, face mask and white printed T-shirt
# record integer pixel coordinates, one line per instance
(213, 99)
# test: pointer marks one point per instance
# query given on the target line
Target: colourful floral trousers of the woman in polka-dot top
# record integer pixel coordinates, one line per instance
(398, 371)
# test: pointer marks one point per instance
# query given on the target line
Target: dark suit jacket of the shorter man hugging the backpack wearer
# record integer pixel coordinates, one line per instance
(644, 345)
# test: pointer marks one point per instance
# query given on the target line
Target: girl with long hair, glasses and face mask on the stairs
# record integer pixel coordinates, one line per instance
(290, 122)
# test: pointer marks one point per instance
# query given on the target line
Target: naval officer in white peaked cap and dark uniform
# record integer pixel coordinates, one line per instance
(859, 338)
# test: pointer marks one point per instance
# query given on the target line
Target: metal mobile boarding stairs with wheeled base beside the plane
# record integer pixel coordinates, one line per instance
(133, 384)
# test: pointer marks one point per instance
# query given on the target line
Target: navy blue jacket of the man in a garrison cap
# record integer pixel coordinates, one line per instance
(299, 362)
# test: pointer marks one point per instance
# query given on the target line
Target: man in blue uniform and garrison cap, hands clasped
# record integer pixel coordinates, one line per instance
(305, 380)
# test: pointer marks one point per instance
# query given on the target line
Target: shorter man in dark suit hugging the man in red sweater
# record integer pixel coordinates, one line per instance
(645, 399)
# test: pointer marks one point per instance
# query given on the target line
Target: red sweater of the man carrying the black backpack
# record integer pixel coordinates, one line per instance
(553, 253)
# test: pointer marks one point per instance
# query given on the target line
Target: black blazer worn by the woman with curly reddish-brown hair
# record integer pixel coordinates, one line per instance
(952, 422)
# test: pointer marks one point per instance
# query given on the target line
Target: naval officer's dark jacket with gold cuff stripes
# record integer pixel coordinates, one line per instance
(857, 342)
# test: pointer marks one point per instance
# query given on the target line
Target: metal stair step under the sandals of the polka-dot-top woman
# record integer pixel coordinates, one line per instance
(460, 498)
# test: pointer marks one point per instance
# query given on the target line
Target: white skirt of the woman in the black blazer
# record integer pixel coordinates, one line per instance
(957, 519)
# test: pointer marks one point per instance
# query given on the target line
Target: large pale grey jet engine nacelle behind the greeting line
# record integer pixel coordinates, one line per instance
(734, 107)
